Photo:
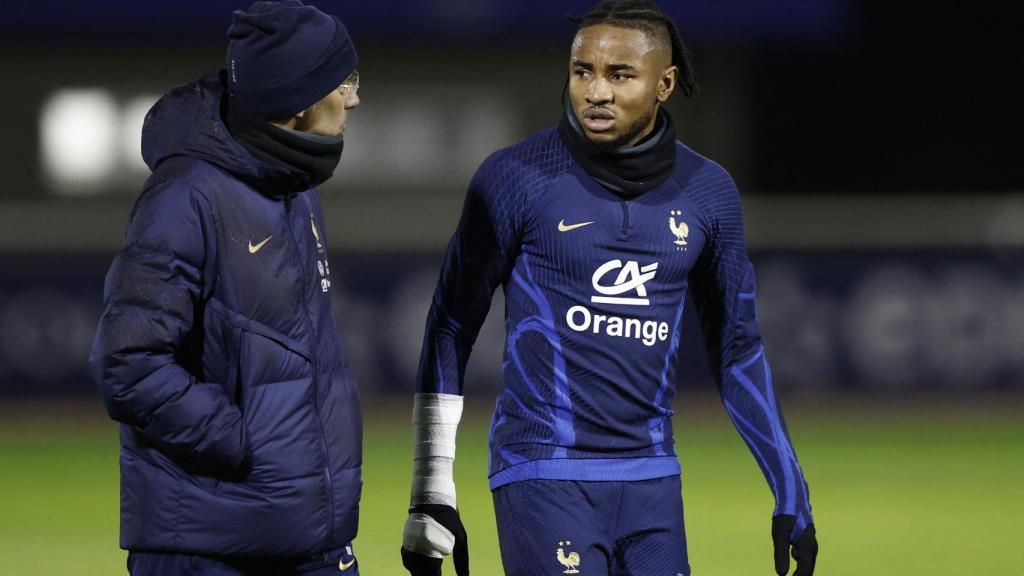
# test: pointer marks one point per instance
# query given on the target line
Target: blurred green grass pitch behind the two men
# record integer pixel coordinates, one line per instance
(913, 490)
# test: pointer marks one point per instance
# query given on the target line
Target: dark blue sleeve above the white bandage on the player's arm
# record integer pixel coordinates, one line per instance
(480, 258)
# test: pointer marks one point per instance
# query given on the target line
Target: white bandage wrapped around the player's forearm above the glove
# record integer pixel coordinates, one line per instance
(436, 420)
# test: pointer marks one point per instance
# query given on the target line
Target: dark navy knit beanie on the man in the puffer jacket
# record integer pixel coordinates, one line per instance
(285, 57)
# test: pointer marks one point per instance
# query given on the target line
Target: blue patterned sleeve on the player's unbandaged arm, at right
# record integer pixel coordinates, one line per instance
(723, 290)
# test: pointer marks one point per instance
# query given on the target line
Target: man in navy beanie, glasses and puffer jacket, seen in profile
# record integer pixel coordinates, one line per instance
(241, 427)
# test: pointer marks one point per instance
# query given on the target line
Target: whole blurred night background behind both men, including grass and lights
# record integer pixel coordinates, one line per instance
(878, 149)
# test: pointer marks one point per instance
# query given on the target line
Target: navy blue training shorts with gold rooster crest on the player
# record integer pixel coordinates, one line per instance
(592, 528)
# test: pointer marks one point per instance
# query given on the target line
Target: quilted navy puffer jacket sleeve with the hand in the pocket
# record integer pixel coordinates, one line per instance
(145, 339)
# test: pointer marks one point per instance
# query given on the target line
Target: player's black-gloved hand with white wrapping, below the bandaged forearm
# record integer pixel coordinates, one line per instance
(434, 531)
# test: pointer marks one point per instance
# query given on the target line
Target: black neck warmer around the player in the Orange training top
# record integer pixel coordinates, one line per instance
(629, 171)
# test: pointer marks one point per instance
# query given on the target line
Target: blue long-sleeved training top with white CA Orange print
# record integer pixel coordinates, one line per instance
(595, 289)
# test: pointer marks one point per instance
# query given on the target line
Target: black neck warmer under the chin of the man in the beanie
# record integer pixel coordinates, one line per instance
(311, 159)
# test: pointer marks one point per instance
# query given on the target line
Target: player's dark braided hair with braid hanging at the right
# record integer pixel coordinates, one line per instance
(646, 16)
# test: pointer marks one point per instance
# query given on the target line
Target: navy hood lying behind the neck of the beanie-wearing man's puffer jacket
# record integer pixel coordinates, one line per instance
(187, 121)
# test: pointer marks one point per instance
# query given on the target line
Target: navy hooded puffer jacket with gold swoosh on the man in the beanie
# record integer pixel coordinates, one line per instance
(241, 423)
